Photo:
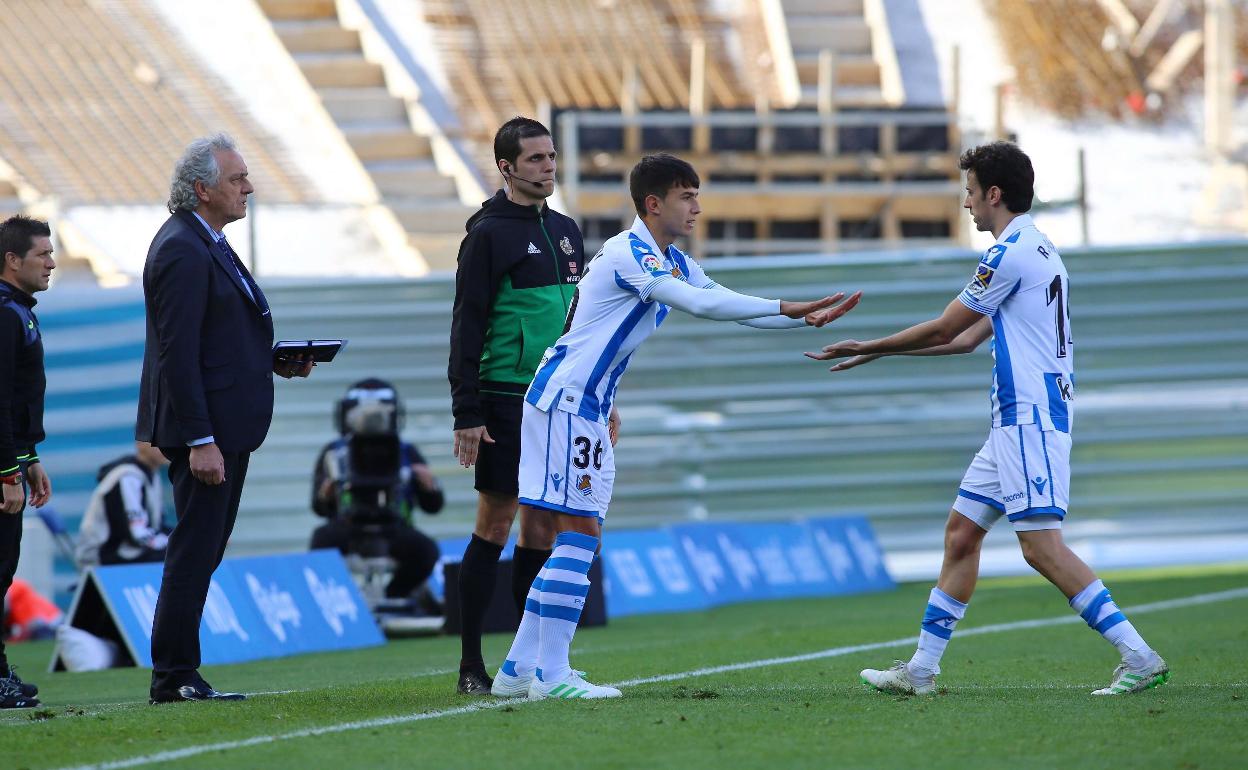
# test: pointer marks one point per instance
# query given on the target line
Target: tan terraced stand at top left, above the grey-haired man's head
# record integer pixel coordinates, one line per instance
(100, 99)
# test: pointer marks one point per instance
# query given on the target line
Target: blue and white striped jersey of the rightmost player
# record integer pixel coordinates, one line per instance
(1021, 284)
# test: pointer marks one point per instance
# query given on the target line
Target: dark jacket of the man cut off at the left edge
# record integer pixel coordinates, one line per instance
(22, 379)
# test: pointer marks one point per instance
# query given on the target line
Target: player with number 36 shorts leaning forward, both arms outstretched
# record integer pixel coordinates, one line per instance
(567, 461)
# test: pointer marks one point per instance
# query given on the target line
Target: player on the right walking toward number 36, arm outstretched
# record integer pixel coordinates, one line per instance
(1020, 298)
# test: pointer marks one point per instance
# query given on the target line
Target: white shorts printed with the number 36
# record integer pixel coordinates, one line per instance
(567, 464)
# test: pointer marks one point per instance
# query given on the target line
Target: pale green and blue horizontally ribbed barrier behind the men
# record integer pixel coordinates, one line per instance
(726, 422)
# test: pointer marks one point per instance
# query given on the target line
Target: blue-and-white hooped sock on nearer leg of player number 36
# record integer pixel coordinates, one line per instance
(563, 597)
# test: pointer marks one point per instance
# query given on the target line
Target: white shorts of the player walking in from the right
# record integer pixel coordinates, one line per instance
(1024, 474)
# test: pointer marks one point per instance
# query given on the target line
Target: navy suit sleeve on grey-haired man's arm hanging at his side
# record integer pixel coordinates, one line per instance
(180, 301)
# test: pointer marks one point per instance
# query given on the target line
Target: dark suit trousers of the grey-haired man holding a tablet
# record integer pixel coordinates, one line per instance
(205, 519)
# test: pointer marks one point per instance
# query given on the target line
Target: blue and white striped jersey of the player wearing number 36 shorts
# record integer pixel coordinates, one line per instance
(611, 316)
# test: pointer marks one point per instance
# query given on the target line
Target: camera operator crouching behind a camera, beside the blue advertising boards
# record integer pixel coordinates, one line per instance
(368, 482)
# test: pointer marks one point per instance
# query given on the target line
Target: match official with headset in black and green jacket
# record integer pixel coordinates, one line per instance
(519, 270)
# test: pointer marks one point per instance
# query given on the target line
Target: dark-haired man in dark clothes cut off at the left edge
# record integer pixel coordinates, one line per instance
(27, 250)
